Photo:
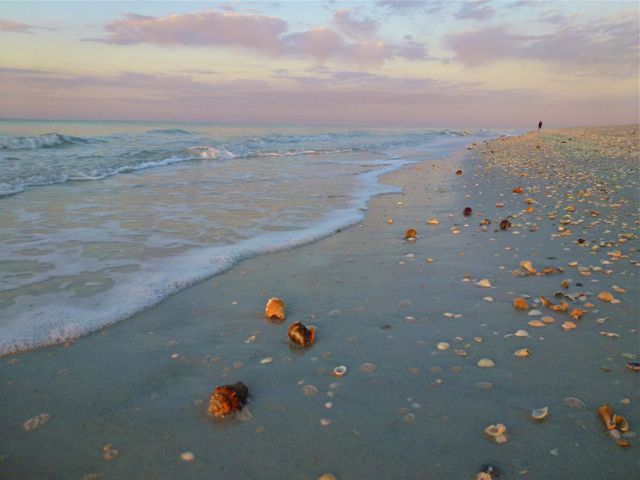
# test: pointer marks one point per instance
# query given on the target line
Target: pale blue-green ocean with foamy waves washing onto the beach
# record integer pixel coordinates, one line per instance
(100, 220)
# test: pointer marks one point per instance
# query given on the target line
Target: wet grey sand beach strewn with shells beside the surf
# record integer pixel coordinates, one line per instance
(128, 401)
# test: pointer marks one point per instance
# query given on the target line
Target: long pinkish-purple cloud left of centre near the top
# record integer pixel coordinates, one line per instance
(264, 34)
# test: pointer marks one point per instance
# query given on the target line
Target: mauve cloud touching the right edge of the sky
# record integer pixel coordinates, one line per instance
(613, 43)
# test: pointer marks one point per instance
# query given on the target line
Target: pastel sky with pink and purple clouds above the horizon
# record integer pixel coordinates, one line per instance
(379, 62)
